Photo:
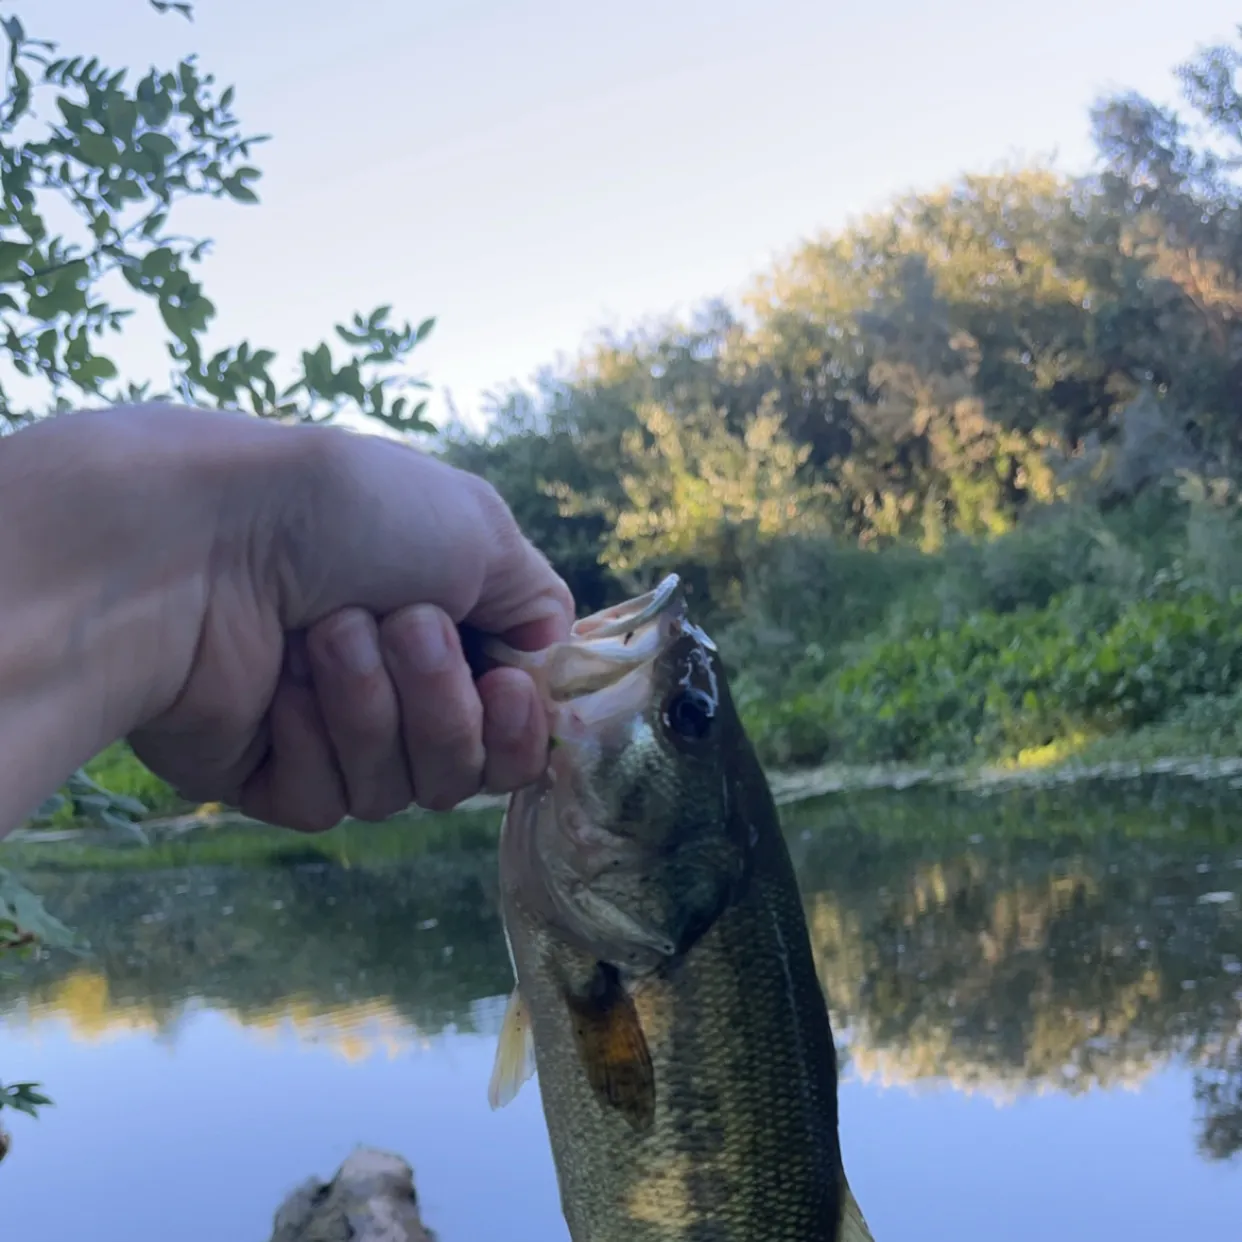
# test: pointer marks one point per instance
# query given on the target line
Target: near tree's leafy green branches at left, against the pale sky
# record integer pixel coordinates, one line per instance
(93, 171)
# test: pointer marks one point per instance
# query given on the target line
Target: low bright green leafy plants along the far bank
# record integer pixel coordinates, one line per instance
(998, 684)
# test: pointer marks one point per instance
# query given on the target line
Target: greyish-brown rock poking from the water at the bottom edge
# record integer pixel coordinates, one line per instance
(372, 1199)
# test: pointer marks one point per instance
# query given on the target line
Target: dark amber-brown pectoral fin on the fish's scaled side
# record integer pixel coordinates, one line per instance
(614, 1050)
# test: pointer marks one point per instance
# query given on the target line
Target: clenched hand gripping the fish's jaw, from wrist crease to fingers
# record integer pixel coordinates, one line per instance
(348, 692)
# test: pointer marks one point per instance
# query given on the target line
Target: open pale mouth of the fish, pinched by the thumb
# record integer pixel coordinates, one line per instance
(605, 648)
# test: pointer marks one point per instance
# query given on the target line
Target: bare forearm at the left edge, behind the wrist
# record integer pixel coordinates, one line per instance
(88, 579)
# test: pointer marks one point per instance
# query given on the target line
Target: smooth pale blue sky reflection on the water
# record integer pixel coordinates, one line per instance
(202, 1142)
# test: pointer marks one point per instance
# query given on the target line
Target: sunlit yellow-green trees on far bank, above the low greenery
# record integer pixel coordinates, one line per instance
(941, 369)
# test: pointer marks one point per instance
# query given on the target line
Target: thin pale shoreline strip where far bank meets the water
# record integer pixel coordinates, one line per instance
(789, 788)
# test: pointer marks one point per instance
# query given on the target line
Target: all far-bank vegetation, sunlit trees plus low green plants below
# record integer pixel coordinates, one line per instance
(956, 484)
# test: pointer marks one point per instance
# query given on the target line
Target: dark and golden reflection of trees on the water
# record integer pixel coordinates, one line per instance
(1009, 946)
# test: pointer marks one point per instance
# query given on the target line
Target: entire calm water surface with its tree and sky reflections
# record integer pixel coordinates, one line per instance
(1039, 1003)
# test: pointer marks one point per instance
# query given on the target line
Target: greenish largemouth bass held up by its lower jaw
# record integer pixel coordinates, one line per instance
(666, 995)
